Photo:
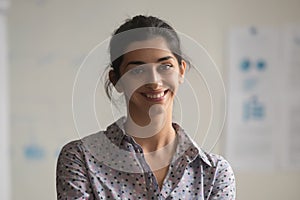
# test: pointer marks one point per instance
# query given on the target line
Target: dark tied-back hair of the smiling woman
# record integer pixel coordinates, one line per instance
(151, 27)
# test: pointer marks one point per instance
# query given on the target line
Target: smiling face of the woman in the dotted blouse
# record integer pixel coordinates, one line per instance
(150, 74)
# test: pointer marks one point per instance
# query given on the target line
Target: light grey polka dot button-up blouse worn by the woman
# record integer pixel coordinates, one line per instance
(111, 165)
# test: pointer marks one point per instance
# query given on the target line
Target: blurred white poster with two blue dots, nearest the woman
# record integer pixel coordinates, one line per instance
(252, 133)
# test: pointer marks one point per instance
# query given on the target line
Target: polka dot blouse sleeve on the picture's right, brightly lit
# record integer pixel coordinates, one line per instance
(224, 186)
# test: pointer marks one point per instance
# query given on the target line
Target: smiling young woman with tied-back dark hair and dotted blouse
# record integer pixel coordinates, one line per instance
(143, 155)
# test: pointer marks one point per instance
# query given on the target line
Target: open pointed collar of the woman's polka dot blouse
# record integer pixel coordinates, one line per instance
(186, 146)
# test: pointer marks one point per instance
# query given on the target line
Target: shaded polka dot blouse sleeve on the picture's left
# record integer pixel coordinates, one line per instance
(71, 174)
